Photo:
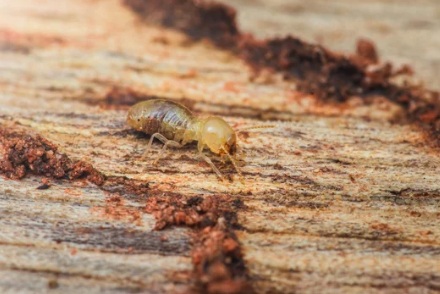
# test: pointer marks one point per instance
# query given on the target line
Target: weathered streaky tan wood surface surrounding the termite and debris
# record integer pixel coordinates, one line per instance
(337, 198)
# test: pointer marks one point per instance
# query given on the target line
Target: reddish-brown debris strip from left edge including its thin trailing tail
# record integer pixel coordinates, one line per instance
(22, 152)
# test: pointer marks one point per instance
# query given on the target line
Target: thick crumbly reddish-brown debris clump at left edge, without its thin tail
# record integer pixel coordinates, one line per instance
(24, 153)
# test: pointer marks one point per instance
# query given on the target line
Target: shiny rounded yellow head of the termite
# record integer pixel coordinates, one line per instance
(218, 136)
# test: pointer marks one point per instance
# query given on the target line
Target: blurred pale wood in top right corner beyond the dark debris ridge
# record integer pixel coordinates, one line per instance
(404, 31)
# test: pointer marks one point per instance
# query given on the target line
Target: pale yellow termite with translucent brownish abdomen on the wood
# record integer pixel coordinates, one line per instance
(175, 125)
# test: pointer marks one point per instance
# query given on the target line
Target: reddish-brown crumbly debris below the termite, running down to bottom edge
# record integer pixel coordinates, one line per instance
(217, 257)
